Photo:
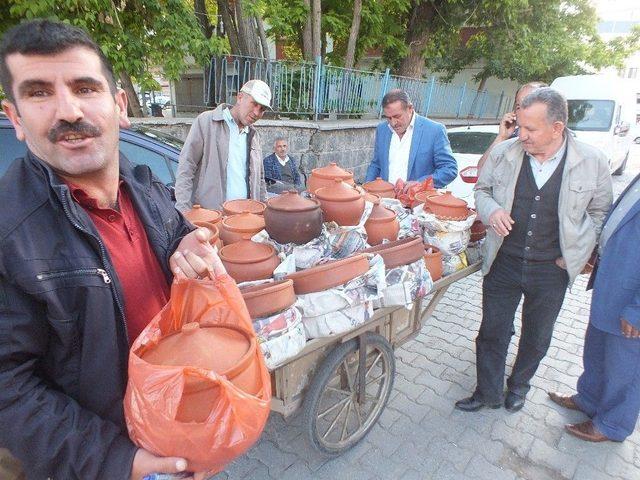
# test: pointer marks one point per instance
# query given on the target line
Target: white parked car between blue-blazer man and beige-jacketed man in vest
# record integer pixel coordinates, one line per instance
(468, 144)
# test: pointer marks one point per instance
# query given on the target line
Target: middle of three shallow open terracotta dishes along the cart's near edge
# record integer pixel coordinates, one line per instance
(329, 275)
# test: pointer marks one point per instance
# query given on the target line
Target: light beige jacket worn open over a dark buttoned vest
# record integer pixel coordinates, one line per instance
(585, 198)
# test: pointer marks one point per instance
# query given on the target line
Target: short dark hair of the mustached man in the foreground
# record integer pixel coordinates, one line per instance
(46, 37)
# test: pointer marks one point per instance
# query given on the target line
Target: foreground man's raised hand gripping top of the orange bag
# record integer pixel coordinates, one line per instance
(195, 257)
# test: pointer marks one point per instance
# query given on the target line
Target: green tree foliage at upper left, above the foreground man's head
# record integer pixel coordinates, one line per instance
(135, 35)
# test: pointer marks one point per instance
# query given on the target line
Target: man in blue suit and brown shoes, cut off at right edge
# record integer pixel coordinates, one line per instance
(609, 388)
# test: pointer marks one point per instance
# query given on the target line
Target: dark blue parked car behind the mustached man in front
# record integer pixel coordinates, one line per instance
(139, 144)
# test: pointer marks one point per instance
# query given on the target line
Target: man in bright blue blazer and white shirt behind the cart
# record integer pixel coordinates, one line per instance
(409, 146)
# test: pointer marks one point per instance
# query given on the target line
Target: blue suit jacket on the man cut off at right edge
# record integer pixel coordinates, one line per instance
(616, 286)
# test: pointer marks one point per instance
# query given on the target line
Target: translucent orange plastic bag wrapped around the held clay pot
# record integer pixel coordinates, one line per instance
(154, 392)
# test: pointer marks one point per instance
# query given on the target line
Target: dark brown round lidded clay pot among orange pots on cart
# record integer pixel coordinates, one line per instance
(290, 218)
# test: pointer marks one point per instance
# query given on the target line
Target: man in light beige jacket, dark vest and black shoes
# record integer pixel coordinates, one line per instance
(544, 196)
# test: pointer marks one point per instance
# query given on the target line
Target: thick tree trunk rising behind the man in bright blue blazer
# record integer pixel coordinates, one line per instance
(418, 31)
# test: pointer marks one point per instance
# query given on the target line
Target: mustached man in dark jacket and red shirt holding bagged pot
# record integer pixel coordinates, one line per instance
(88, 247)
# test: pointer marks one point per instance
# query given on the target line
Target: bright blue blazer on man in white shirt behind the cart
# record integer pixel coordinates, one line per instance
(430, 153)
